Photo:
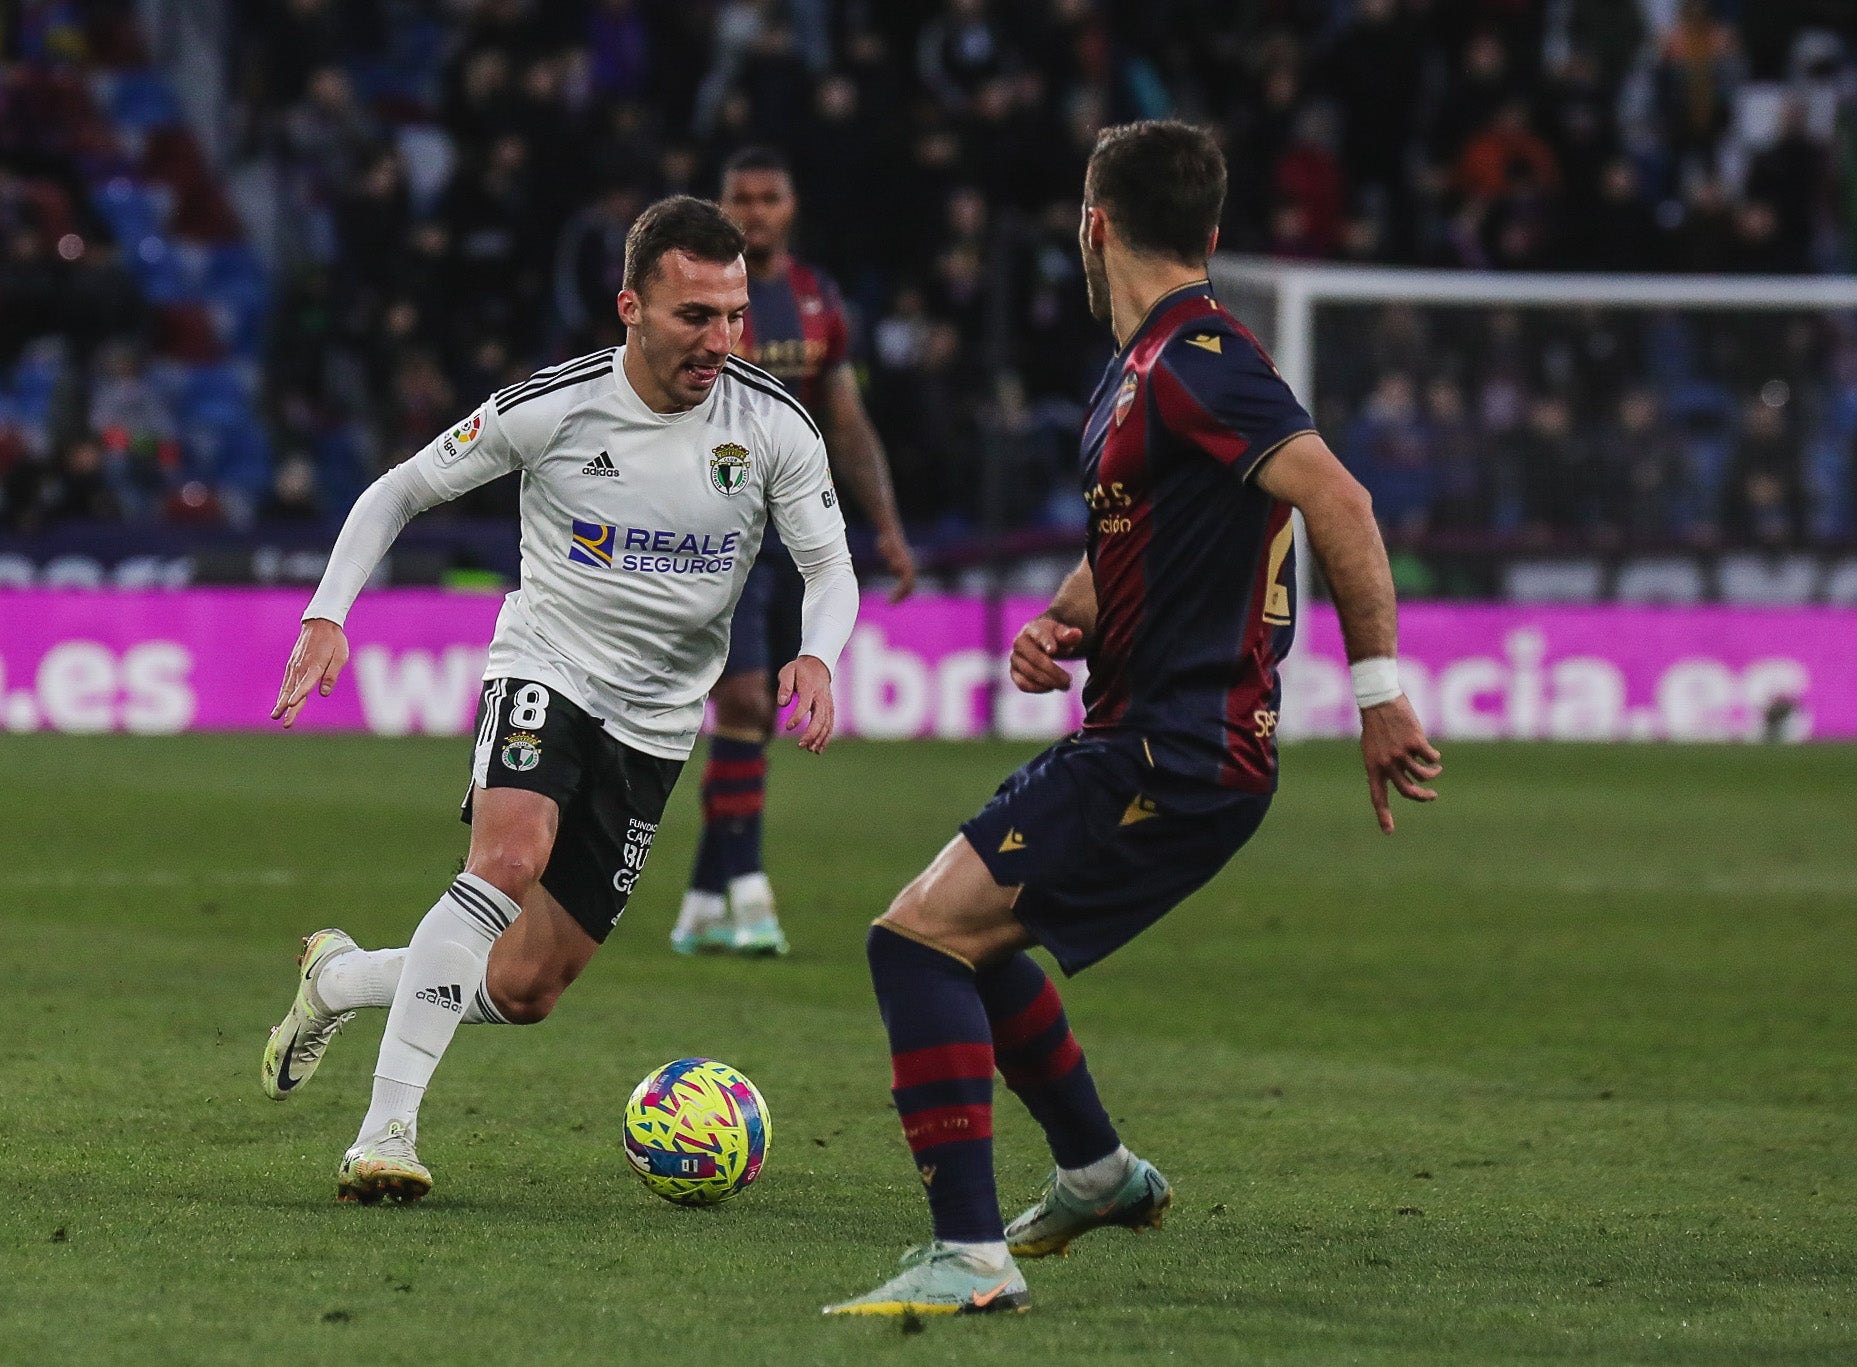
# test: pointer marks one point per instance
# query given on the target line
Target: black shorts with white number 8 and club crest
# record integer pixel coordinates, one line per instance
(612, 798)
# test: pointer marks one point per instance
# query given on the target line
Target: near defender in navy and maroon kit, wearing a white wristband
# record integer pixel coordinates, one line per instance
(1193, 458)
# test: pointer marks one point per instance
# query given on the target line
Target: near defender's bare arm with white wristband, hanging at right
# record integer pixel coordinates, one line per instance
(1345, 538)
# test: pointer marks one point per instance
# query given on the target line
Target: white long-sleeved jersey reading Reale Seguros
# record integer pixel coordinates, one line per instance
(638, 534)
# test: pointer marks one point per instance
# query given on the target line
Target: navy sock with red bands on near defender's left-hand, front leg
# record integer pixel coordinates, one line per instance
(942, 1080)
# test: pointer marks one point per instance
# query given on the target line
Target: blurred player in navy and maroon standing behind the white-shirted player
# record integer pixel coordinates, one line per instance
(796, 332)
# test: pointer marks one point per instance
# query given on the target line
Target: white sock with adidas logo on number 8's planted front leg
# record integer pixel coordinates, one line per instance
(443, 972)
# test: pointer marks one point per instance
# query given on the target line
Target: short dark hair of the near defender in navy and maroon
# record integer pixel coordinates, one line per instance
(1162, 183)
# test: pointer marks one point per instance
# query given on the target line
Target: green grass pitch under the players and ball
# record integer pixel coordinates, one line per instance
(1563, 1073)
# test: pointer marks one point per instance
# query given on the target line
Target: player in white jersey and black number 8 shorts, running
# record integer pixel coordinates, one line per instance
(649, 475)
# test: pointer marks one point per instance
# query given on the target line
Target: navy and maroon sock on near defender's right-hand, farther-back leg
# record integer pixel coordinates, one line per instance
(1041, 1061)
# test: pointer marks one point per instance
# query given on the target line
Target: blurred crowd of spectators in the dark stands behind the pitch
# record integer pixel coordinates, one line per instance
(439, 192)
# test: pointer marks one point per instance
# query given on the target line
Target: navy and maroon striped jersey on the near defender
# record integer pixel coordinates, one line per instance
(1193, 562)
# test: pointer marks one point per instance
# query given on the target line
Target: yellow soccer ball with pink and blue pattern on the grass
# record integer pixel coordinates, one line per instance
(697, 1132)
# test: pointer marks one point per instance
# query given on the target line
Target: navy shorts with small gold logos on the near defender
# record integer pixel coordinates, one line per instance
(1104, 844)
